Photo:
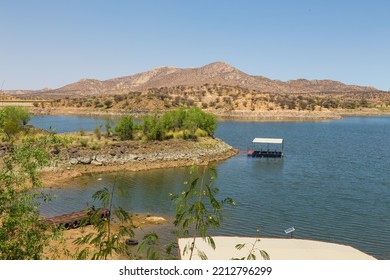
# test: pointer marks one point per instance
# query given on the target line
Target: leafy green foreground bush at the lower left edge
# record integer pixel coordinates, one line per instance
(23, 233)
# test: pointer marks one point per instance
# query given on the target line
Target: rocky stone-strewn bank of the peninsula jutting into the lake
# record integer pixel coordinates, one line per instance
(134, 156)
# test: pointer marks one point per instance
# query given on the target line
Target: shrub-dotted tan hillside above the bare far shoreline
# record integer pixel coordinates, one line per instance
(220, 99)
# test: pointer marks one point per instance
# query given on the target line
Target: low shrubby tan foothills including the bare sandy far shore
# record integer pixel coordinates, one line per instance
(225, 101)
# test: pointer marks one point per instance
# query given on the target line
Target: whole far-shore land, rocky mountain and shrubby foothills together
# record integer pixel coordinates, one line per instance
(217, 88)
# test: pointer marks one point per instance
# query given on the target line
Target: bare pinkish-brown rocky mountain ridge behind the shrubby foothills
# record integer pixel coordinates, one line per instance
(214, 73)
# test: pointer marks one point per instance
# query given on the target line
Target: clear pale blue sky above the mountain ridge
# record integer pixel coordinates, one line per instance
(53, 43)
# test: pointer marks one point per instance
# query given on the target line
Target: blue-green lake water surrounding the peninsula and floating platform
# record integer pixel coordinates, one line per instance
(332, 185)
